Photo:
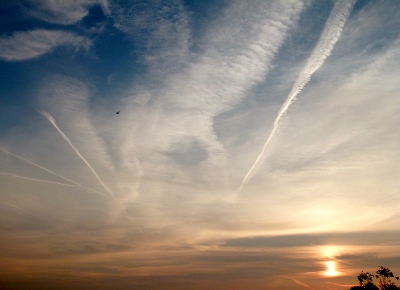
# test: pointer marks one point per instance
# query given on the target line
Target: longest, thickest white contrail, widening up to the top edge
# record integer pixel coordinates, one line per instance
(329, 37)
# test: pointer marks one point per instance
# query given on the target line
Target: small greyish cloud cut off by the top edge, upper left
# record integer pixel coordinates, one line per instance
(63, 12)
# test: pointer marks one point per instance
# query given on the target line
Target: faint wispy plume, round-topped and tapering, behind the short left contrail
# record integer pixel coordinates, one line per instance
(69, 99)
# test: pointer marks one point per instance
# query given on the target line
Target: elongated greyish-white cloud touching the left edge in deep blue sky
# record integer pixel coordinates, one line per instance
(26, 45)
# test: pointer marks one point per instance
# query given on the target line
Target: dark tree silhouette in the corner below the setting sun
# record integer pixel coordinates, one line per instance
(382, 274)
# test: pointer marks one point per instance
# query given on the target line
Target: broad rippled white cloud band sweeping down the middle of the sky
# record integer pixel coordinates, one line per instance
(179, 111)
